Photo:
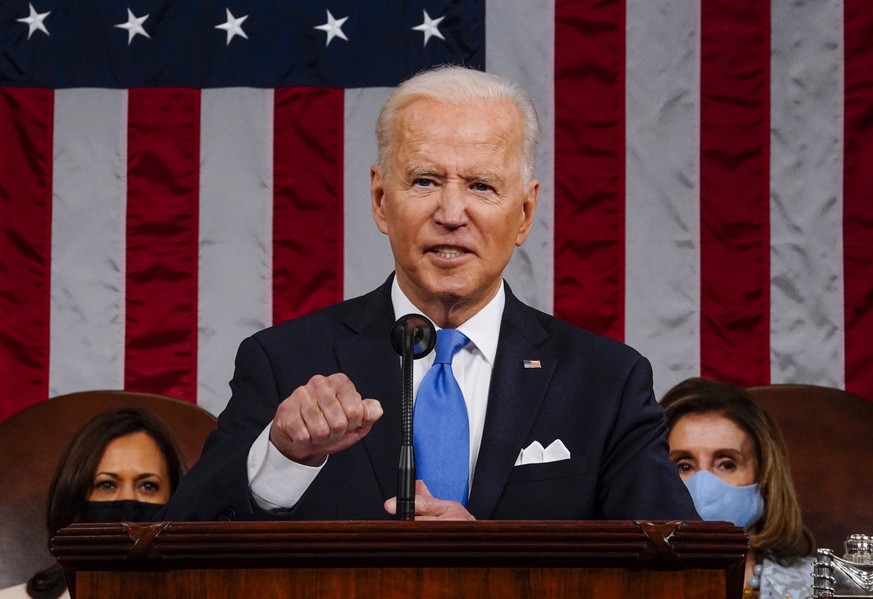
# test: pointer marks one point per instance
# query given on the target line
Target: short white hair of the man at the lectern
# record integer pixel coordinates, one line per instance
(460, 85)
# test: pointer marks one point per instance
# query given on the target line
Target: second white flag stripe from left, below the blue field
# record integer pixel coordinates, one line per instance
(236, 203)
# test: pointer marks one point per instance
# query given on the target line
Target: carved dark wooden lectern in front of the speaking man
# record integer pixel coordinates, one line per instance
(501, 559)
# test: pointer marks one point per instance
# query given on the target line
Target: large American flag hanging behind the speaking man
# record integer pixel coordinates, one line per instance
(177, 175)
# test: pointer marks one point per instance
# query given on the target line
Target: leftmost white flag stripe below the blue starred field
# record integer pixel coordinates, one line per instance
(88, 240)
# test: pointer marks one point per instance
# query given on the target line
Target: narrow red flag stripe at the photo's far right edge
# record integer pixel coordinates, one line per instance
(858, 197)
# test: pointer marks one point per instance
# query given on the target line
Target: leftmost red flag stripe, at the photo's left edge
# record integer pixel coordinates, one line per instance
(26, 127)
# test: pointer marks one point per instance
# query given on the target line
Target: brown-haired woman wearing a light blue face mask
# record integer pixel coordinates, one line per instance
(733, 459)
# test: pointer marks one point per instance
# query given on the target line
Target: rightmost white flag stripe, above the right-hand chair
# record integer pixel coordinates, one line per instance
(806, 303)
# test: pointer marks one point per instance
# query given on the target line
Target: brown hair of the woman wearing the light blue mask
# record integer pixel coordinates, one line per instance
(780, 531)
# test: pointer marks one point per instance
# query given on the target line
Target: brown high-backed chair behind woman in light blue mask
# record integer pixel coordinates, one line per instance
(829, 433)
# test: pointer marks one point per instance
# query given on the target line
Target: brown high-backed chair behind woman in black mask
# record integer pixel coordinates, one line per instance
(31, 444)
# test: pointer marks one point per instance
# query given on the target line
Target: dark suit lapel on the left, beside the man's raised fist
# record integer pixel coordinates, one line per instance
(374, 367)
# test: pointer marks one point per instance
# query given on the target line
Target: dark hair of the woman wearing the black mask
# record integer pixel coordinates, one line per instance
(74, 477)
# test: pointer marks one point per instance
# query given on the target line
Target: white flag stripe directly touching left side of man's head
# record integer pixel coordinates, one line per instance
(367, 258)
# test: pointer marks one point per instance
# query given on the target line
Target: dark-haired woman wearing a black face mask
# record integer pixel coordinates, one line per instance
(122, 465)
